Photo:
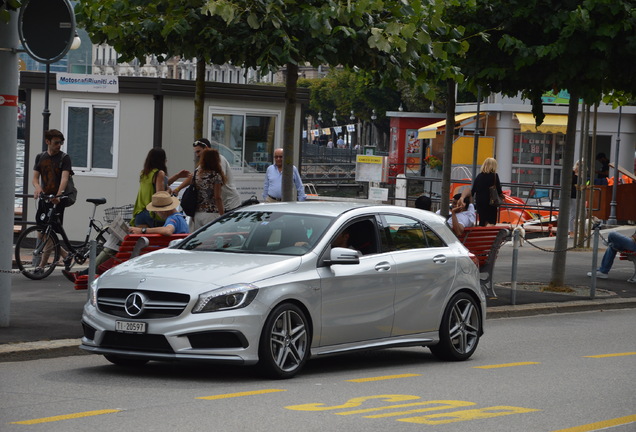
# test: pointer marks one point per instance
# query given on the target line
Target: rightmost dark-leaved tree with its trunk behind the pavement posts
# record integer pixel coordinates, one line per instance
(587, 47)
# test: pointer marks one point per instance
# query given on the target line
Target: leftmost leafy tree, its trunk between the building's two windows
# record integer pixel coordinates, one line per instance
(165, 28)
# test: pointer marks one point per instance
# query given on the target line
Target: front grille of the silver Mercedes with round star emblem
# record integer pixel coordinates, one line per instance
(156, 305)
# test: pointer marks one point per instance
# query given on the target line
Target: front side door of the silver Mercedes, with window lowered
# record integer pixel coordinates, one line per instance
(357, 299)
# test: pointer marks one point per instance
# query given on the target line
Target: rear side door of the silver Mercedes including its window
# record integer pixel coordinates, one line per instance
(425, 272)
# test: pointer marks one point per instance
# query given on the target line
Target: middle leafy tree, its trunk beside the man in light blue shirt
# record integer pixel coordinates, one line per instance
(392, 39)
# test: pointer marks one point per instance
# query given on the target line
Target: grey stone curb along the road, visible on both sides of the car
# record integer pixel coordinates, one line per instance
(70, 347)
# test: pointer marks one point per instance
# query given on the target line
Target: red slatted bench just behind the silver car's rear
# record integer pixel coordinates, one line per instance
(484, 243)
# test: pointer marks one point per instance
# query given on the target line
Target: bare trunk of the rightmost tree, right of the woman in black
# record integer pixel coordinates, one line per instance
(558, 262)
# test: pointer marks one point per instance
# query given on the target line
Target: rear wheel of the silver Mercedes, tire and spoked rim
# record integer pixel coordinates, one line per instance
(460, 329)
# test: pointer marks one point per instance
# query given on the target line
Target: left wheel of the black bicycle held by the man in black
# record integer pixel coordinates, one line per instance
(36, 252)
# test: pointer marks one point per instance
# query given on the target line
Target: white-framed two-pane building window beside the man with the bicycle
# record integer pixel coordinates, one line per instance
(91, 130)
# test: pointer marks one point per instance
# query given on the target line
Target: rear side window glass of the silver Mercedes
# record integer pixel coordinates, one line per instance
(405, 233)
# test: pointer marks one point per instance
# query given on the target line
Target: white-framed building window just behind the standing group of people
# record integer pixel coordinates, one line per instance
(247, 139)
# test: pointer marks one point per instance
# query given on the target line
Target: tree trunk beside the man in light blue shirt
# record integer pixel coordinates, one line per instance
(291, 82)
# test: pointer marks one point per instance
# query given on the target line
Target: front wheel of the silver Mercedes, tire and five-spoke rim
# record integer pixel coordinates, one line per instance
(284, 343)
